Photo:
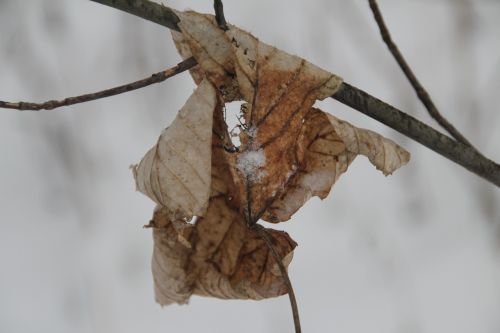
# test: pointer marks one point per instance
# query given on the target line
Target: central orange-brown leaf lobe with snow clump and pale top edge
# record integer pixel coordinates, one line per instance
(280, 89)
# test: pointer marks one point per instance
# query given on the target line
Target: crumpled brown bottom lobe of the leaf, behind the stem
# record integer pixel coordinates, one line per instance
(218, 256)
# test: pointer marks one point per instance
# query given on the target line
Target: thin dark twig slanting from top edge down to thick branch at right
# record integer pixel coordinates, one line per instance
(419, 89)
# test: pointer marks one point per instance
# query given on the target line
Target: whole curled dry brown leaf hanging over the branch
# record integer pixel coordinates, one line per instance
(289, 152)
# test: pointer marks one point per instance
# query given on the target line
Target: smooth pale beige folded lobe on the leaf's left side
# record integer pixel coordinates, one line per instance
(175, 173)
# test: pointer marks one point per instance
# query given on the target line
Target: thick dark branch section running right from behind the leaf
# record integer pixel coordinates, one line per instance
(457, 152)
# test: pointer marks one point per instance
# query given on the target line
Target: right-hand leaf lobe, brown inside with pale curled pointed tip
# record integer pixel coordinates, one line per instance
(325, 148)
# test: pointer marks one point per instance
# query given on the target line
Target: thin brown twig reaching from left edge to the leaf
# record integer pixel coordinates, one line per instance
(155, 78)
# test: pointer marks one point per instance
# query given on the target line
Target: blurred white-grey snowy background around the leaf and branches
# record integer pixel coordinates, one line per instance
(418, 252)
